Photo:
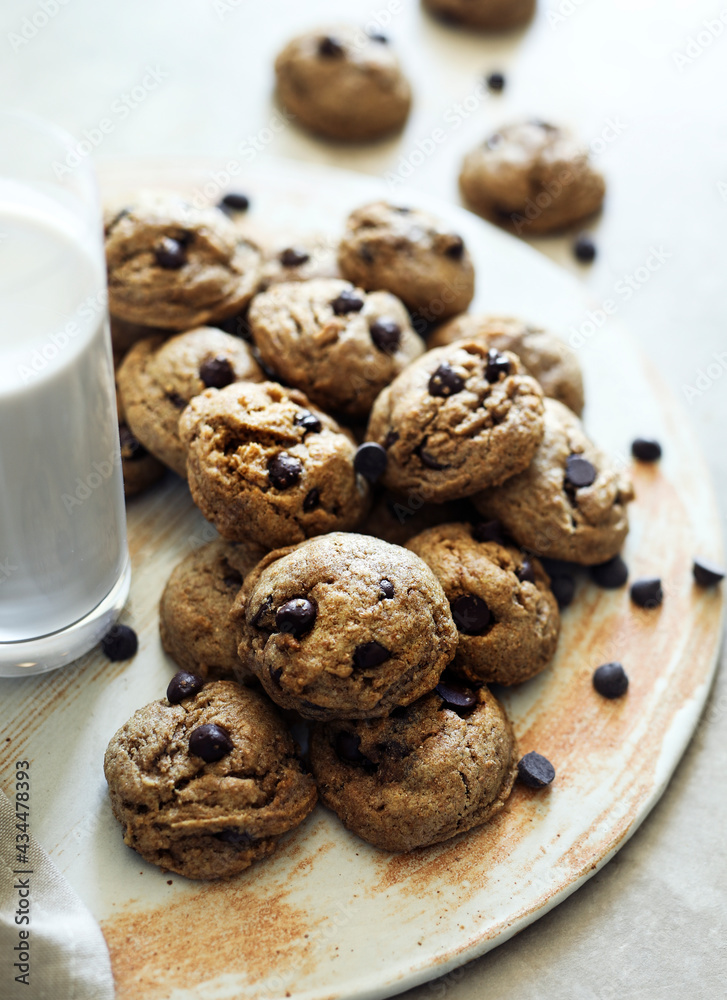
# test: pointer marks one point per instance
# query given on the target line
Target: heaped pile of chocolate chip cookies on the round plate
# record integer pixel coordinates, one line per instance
(397, 516)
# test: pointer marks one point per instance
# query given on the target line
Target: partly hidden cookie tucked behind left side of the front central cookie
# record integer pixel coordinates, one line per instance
(195, 606)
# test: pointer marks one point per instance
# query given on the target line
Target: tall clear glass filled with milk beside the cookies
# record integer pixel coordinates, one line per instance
(64, 565)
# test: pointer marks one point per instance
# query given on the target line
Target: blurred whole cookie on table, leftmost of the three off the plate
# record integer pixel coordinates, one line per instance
(343, 83)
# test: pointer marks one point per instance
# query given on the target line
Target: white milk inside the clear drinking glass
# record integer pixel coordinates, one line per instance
(62, 521)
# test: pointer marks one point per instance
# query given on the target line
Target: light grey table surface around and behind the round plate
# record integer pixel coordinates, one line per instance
(645, 81)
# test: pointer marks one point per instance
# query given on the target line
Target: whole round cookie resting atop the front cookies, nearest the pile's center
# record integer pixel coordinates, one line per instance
(344, 626)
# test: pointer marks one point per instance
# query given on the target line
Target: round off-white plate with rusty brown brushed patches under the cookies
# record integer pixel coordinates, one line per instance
(330, 916)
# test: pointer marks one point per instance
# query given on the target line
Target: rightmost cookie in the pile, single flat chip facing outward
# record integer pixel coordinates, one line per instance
(570, 503)
